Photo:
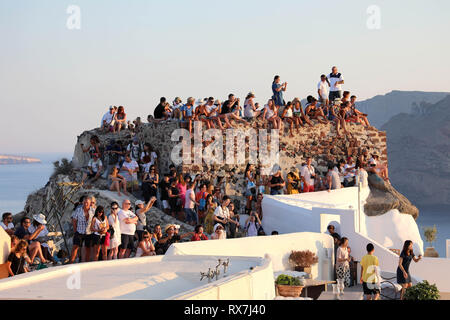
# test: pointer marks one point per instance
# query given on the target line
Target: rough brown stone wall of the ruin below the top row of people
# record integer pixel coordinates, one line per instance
(320, 142)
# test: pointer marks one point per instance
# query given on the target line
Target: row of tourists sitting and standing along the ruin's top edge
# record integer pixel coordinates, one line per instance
(331, 105)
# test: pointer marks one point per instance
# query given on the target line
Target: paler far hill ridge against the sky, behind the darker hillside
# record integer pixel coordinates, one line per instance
(382, 107)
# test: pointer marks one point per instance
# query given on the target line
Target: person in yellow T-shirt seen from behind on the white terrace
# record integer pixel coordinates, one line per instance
(369, 279)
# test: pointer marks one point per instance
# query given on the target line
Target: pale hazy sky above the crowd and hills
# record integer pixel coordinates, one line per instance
(56, 82)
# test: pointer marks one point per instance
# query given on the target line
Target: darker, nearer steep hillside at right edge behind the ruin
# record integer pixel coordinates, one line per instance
(419, 152)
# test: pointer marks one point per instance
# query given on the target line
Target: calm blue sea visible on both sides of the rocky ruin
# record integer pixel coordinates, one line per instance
(17, 181)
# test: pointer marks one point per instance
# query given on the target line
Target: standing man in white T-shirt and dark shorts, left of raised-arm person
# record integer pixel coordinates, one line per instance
(128, 221)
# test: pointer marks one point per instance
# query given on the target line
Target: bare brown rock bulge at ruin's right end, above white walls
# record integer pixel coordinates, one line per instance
(383, 197)
